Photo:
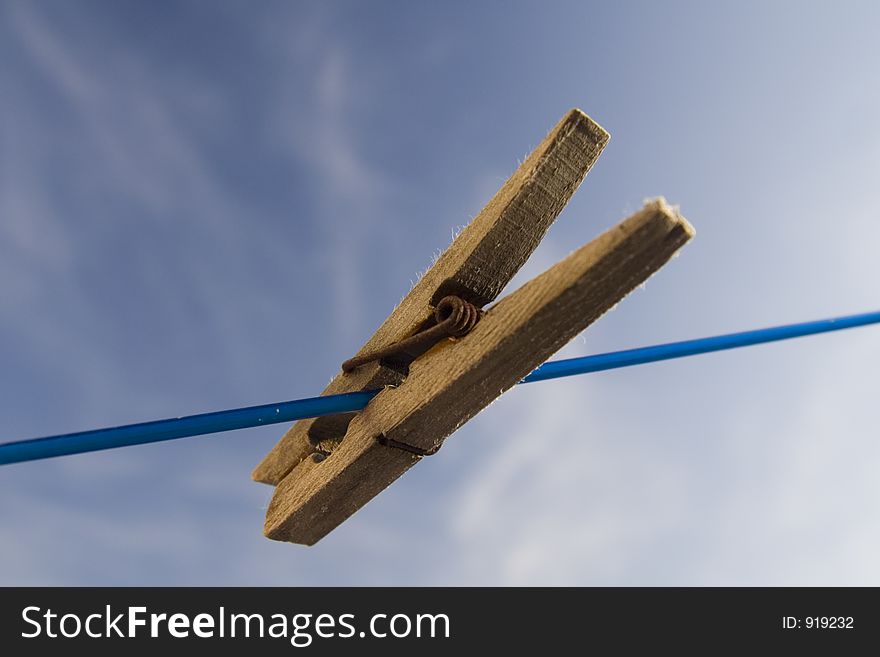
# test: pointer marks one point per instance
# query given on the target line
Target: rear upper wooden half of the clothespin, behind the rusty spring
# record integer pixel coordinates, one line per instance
(477, 266)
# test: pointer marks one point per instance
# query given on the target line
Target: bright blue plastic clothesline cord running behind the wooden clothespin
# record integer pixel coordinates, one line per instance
(255, 416)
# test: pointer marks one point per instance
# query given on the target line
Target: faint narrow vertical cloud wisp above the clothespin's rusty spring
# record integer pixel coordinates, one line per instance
(319, 124)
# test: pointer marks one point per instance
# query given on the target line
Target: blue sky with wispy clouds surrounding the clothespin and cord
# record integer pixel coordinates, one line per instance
(197, 204)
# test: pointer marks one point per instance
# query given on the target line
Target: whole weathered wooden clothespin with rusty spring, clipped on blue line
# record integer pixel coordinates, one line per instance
(443, 355)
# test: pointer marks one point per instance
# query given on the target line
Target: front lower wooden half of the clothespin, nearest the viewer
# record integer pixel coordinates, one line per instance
(456, 379)
